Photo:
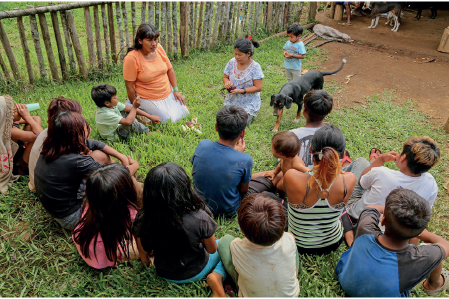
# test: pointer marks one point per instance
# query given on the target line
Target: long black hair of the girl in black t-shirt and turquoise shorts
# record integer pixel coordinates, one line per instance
(167, 196)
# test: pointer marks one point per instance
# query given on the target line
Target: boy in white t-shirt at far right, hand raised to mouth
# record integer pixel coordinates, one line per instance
(418, 155)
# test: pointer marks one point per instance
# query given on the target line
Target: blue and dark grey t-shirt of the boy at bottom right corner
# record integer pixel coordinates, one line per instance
(368, 269)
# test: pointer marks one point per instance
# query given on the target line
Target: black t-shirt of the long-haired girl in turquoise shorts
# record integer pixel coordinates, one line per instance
(198, 226)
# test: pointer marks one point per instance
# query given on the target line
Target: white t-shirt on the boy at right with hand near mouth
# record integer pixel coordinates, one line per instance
(380, 181)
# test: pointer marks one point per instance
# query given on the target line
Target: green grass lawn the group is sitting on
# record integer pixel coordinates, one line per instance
(50, 266)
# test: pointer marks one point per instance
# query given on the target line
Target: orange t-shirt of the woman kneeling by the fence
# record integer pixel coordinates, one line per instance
(151, 80)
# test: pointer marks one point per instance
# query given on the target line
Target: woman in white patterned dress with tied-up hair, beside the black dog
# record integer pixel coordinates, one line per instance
(244, 75)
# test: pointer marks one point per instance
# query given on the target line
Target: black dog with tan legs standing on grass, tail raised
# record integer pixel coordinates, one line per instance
(295, 90)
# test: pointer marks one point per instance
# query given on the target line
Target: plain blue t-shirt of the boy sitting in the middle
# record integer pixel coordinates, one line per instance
(217, 171)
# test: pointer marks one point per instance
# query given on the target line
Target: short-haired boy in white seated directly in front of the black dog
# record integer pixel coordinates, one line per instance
(317, 104)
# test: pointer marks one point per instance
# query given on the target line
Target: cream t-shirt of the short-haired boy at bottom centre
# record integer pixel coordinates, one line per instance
(266, 271)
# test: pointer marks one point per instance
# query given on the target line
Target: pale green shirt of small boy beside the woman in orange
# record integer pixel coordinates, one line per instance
(108, 119)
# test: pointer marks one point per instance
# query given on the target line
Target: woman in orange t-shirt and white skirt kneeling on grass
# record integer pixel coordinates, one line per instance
(148, 75)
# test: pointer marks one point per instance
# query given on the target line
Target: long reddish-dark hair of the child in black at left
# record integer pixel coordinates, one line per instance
(66, 134)
